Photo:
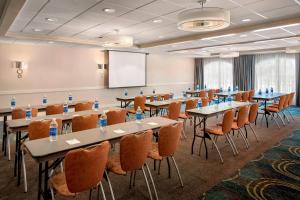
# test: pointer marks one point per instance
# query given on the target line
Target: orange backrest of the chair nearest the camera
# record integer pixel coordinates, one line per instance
(84, 168)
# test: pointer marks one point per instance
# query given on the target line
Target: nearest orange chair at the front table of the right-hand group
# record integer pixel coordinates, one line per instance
(223, 130)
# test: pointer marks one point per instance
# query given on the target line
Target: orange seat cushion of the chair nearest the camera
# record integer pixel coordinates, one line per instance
(59, 183)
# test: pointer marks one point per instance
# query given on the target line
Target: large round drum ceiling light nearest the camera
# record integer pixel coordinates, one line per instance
(203, 19)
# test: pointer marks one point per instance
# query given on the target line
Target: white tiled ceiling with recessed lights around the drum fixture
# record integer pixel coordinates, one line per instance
(85, 19)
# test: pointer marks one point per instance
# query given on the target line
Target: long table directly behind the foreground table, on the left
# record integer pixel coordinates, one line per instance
(18, 125)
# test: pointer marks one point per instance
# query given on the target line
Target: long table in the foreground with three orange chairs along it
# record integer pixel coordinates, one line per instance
(43, 151)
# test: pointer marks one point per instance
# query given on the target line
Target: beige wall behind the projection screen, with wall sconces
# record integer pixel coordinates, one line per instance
(56, 71)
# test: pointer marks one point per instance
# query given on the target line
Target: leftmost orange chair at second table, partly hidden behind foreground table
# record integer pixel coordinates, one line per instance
(37, 130)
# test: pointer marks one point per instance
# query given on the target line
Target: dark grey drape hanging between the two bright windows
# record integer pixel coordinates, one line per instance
(244, 72)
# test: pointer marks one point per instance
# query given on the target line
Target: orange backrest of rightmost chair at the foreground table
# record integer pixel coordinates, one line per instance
(169, 137)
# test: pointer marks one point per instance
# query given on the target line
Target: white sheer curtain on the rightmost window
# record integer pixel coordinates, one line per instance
(277, 71)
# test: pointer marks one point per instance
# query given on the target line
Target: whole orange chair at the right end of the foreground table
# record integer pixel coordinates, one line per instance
(168, 140)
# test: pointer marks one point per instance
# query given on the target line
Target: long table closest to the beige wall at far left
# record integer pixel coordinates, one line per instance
(5, 112)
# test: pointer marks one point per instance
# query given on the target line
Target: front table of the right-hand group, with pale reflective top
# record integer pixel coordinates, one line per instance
(210, 111)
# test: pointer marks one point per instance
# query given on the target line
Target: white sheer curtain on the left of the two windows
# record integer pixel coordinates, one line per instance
(218, 72)
